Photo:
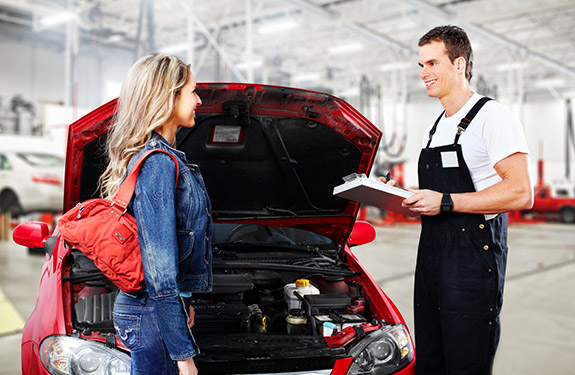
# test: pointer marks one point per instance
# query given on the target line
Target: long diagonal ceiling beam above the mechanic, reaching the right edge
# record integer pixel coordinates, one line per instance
(492, 37)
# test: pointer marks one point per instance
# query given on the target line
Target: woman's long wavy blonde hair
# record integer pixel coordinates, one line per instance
(147, 102)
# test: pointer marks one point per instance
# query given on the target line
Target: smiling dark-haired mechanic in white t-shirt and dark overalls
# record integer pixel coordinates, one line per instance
(473, 168)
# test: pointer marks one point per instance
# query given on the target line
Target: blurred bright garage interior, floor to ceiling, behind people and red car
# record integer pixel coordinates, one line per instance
(63, 58)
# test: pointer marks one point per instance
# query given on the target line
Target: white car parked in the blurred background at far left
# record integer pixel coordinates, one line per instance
(30, 180)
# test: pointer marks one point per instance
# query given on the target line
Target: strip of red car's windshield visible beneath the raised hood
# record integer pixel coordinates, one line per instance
(225, 233)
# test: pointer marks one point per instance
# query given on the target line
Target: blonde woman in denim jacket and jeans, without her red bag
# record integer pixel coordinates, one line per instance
(174, 222)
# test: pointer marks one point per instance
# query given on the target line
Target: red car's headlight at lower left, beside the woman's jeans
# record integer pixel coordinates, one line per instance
(64, 355)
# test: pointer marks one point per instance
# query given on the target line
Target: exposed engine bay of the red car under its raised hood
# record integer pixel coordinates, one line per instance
(275, 302)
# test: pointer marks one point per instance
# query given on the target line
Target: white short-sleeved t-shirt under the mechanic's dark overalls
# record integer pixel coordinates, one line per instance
(494, 134)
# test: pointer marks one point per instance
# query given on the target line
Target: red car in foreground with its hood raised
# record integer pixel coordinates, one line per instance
(270, 157)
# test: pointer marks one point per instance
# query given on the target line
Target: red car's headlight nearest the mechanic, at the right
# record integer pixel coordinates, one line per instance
(382, 352)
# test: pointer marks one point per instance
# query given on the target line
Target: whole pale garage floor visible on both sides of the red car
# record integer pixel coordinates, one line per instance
(538, 318)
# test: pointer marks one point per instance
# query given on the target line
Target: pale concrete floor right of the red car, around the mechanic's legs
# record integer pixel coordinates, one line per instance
(538, 316)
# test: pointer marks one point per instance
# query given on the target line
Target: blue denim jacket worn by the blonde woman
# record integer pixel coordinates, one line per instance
(174, 231)
